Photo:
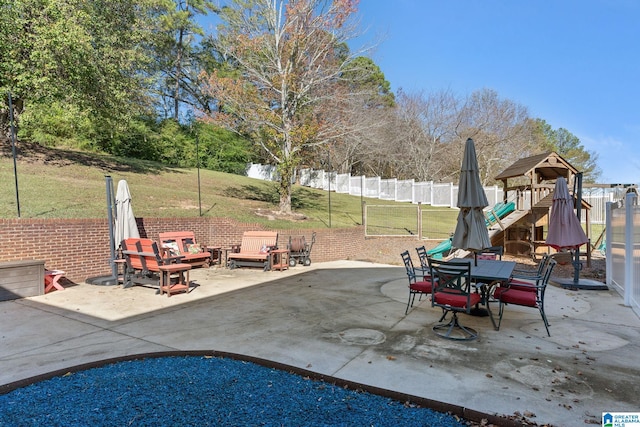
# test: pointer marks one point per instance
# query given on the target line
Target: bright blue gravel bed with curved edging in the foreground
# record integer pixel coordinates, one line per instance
(203, 391)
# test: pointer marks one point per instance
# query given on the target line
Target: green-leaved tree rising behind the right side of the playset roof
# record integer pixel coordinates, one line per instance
(568, 146)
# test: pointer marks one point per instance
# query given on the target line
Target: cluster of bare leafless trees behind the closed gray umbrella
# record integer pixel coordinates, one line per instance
(429, 131)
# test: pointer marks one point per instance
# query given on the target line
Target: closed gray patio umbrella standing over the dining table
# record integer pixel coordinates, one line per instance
(471, 230)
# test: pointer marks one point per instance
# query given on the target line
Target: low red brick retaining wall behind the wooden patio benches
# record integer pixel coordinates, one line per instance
(80, 247)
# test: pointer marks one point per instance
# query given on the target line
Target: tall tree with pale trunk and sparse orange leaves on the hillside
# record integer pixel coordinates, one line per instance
(291, 57)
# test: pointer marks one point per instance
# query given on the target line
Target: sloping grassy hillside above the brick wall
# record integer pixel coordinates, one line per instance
(58, 183)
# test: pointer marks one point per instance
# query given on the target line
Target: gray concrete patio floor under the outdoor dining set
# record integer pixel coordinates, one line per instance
(346, 319)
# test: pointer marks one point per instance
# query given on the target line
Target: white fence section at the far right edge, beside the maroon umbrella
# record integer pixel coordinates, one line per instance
(623, 249)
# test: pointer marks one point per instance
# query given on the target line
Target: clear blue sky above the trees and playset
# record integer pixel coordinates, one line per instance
(575, 64)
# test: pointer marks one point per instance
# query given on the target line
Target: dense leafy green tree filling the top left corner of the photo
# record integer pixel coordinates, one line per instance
(87, 54)
